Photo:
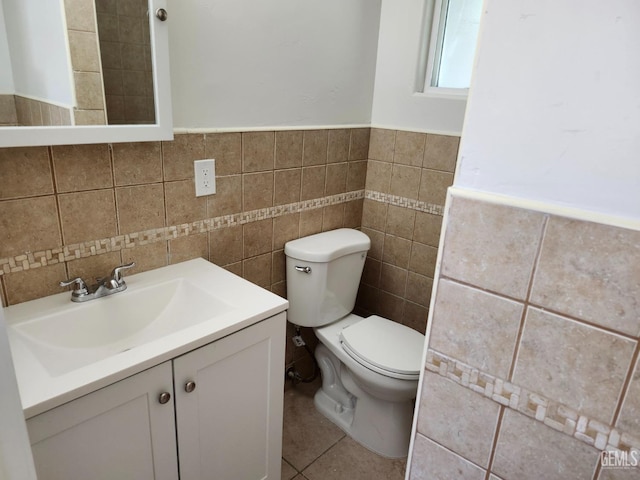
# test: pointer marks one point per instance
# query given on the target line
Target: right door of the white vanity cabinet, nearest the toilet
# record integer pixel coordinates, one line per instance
(229, 419)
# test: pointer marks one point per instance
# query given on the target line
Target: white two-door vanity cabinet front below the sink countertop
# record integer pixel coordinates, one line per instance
(222, 421)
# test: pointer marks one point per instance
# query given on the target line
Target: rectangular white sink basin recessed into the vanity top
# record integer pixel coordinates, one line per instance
(88, 332)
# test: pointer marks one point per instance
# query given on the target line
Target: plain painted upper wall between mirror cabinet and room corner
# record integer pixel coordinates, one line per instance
(242, 63)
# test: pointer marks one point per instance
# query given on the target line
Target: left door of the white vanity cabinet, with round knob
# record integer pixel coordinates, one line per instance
(119, 432)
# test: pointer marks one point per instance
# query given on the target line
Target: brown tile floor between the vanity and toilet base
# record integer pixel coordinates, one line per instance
(313, 448)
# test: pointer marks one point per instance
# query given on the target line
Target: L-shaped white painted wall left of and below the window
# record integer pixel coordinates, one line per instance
(395, 103)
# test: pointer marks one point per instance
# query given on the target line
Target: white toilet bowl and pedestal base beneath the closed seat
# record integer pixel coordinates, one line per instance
(381, 426)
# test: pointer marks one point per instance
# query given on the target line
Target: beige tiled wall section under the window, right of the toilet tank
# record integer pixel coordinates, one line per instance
(407, 177)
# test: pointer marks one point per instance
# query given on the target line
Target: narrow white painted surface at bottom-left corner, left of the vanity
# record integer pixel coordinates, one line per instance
(16, 462)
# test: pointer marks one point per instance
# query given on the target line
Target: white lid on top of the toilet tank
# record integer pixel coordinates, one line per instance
(327, 246)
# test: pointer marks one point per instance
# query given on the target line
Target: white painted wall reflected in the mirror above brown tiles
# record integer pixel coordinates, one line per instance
(38, 48)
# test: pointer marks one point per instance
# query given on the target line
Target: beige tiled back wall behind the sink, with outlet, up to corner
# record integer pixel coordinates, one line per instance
(80, 210)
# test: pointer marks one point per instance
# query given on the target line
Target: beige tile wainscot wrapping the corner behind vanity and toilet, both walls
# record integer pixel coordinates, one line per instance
(79, 210)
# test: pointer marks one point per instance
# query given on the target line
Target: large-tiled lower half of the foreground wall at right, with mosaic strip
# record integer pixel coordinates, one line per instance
(532, 364)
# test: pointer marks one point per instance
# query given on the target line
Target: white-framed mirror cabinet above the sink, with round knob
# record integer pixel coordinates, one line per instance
(83, 71)
